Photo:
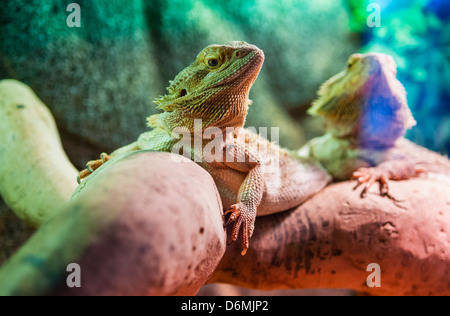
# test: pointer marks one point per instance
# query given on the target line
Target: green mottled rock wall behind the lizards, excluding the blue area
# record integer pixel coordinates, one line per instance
(100, 80)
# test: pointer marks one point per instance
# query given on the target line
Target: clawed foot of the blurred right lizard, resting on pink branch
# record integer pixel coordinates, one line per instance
(369, 176)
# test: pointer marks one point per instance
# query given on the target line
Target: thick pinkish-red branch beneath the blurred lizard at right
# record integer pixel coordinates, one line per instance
(329, 241)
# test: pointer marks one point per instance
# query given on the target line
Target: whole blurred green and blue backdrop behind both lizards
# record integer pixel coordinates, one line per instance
(99, 80)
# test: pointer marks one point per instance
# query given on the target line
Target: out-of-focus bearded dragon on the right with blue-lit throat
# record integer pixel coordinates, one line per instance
(365, 113)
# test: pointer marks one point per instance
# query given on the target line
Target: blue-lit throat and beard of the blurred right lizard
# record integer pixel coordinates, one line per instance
(373, 117)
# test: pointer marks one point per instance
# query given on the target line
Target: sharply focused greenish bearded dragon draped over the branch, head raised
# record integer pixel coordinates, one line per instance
(207, 105)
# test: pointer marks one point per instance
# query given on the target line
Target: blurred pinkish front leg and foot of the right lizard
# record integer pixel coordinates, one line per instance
(389, 170)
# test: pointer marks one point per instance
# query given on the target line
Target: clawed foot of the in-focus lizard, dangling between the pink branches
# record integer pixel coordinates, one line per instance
(242, 218)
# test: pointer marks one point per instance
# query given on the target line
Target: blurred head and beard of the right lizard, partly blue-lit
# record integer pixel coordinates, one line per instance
(365, 101)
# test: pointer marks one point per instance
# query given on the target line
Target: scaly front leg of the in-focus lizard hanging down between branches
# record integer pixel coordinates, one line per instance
(243, 213)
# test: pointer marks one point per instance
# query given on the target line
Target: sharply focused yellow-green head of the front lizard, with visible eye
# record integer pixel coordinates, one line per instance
(214, 88)
